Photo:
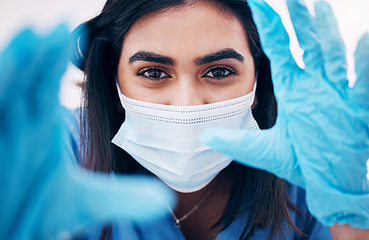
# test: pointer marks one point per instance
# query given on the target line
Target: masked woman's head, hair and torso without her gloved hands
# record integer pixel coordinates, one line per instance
(185, 53)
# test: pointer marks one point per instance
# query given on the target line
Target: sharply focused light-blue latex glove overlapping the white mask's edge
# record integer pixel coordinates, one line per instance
(321, 138)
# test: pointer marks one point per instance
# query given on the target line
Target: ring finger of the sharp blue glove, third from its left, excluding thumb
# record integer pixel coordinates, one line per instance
(332, 45)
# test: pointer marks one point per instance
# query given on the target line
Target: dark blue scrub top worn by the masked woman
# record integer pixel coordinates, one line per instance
(164, 229)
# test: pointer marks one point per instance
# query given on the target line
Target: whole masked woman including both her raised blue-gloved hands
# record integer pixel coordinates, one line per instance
(142, 51)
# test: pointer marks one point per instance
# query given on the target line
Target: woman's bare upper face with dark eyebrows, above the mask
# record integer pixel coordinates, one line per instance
(188, 55)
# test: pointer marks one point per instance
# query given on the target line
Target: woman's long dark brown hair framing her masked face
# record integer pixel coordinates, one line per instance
(102, 116)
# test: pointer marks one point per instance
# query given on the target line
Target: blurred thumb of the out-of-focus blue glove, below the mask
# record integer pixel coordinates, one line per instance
(134, 197)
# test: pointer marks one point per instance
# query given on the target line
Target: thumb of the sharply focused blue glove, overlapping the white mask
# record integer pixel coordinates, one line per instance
(256, 149)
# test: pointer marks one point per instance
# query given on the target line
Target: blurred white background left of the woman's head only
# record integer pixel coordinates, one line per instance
(44, 15)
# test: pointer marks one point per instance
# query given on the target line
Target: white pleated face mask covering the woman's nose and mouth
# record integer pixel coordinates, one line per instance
(165, 139)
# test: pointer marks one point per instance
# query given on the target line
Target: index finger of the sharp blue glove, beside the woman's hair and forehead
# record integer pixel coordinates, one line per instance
(274, 38)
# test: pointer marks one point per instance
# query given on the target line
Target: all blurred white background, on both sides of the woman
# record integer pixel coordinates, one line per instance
(43, 15)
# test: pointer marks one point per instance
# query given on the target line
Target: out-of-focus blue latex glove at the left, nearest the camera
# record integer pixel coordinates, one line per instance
(43, 194)
